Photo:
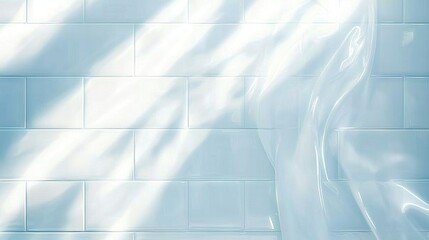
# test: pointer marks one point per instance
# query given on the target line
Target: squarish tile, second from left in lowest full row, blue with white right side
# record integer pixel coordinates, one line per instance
(55, 206)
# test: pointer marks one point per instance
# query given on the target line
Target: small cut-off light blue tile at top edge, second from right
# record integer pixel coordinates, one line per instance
(390, 10)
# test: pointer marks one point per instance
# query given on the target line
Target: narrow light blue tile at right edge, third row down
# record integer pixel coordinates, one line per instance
(416, 102)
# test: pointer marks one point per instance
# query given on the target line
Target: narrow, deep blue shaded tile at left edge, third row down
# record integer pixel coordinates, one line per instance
(12, 102)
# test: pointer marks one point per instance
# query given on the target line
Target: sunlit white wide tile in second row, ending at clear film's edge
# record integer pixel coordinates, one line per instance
(199, 49)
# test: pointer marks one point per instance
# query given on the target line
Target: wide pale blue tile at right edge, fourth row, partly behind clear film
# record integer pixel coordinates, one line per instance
(383, 154)
